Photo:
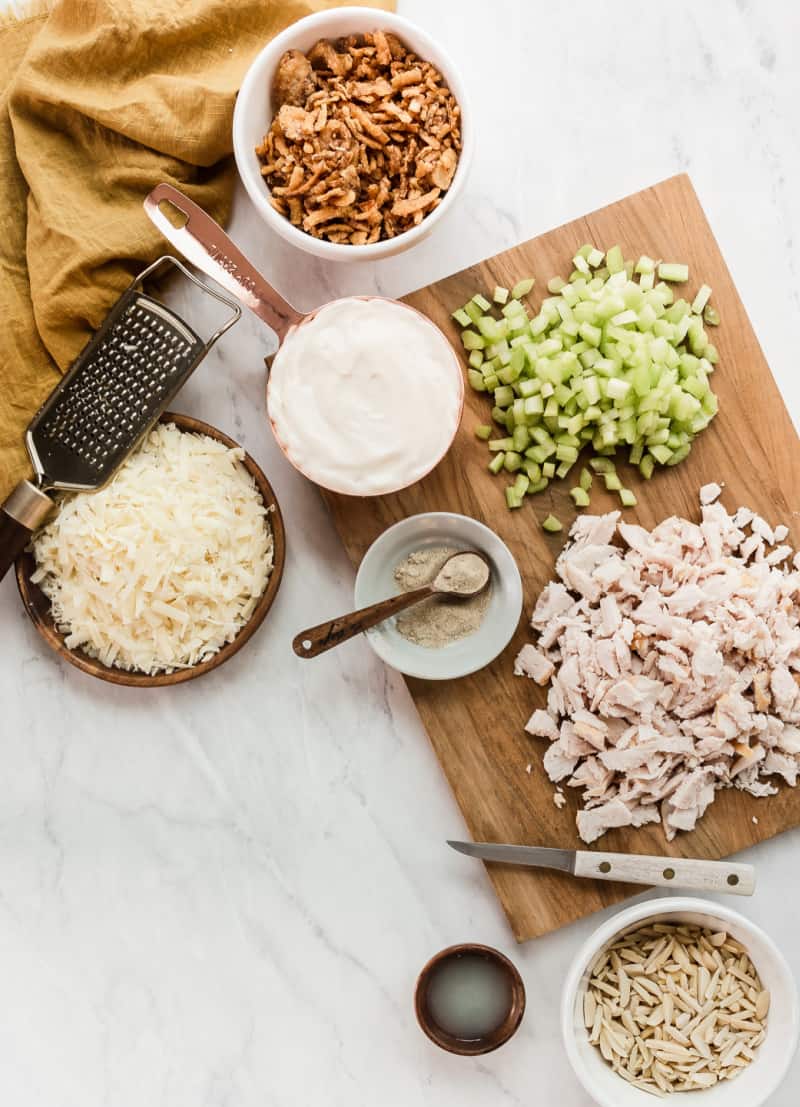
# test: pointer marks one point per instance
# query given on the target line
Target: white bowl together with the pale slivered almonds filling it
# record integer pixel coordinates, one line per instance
(682, 997)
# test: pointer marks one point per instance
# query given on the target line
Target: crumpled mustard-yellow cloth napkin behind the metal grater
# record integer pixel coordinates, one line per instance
(100, 100)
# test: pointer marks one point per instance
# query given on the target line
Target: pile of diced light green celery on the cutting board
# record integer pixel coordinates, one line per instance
(611, 360)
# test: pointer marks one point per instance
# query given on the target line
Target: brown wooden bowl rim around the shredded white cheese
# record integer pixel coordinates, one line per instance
(38, 605)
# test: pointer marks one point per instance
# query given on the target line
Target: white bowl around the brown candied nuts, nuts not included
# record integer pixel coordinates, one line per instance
(254, 116)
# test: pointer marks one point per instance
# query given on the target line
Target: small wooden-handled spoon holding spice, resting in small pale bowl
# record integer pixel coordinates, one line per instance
(463, 576)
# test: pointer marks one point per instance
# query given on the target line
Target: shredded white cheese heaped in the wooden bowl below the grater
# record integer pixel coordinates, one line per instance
(164, 566)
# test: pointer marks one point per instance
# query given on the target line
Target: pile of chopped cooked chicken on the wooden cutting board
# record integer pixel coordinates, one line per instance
(673, 663)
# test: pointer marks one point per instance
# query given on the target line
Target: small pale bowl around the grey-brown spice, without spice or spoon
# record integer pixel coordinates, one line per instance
(376, 582)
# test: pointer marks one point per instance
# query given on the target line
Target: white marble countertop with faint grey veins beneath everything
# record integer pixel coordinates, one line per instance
(221, 895)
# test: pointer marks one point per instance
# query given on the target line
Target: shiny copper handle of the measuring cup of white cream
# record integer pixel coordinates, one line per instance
(204, 243)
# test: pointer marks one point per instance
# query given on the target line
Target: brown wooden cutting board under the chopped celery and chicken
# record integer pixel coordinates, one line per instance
(476, 723)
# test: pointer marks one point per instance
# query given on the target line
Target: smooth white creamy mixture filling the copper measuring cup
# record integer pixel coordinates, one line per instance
(367, 397)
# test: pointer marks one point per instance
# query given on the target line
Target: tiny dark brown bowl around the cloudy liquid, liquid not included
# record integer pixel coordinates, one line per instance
(496, 1038)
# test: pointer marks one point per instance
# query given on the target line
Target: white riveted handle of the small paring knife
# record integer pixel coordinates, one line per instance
(668, 872)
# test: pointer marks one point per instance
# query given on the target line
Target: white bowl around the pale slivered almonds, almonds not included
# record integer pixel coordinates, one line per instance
(759, 1081)
